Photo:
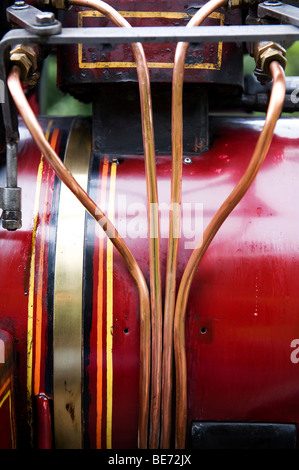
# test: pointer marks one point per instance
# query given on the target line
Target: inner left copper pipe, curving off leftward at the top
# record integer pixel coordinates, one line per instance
(154, 230)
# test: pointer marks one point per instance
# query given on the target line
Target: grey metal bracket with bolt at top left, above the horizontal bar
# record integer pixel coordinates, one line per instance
(32, 19)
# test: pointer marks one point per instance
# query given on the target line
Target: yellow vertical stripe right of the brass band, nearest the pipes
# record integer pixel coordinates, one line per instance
(109, 335)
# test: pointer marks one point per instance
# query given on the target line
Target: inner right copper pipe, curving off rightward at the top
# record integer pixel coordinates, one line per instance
(175, 219)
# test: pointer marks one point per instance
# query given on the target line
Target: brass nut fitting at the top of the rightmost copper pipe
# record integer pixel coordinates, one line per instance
(264, 53)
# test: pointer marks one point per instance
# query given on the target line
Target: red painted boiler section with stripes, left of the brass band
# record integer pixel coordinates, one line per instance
(16, 274)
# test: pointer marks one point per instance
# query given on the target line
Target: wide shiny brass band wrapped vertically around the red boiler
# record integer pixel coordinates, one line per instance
(67, 334)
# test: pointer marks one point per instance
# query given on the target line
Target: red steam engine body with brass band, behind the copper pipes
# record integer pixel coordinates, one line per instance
(71, 351)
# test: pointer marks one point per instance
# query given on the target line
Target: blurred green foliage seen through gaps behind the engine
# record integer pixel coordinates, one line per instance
(53, 102)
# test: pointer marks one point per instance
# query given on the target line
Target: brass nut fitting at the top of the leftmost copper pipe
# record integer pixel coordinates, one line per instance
(25, 57)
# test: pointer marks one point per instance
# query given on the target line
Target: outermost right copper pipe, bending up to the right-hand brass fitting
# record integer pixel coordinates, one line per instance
(260, 152)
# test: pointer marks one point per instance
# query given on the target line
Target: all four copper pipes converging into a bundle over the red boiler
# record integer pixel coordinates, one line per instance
(174, 310)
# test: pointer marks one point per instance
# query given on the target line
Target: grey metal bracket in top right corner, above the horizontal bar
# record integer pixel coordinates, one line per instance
(284, 13)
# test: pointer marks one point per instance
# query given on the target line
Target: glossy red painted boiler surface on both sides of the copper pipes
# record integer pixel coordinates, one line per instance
(243, 311)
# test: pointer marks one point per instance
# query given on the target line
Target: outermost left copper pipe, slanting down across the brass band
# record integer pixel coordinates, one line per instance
(15, 87)
